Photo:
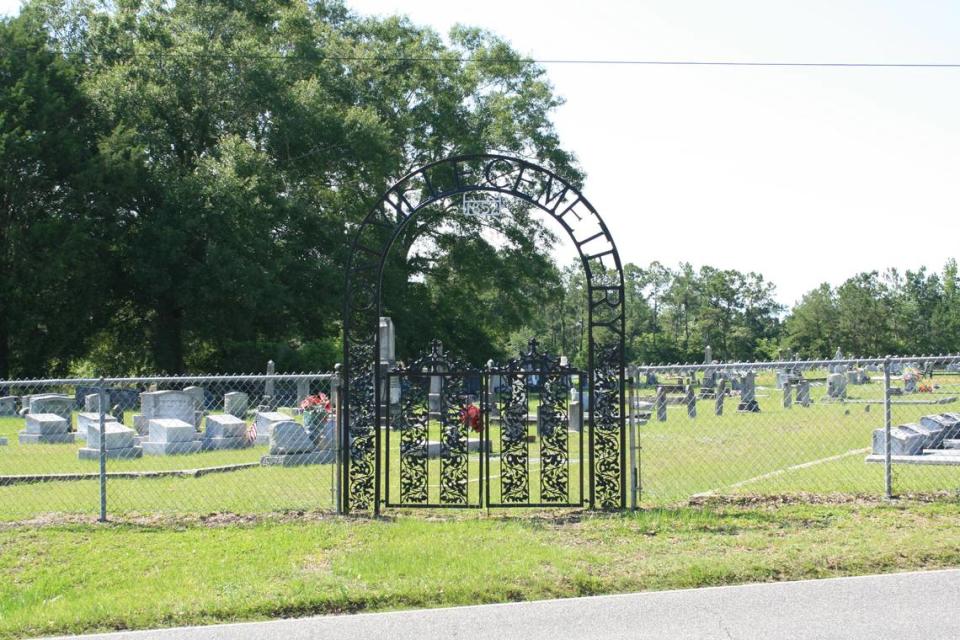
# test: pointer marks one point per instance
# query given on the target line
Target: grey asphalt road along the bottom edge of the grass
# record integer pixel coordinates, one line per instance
(898, 606)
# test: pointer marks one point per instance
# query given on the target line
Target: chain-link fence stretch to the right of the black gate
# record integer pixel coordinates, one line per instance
(881, 426)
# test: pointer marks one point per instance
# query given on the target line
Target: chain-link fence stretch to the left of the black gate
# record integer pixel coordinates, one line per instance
(123, 447)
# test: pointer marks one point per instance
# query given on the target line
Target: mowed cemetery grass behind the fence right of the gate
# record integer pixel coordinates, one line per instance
(760, 452)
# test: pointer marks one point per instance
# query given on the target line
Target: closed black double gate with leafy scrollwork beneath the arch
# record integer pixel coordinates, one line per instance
(513, 438)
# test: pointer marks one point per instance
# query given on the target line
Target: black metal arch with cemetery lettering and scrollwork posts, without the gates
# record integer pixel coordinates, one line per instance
(361, 387)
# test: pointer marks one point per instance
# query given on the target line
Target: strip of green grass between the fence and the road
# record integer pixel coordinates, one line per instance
(82, 577)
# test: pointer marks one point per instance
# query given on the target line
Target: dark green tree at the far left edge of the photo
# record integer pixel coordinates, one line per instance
(53, 293)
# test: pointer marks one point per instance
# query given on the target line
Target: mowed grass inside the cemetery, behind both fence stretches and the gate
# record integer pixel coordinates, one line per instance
(820, 449)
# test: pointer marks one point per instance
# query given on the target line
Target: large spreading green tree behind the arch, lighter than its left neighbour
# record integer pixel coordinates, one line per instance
(241, 140)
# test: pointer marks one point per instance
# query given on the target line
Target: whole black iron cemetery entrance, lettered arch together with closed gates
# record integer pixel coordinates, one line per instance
(532, 432)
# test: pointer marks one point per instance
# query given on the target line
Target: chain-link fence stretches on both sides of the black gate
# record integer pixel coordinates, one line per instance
(126, 447)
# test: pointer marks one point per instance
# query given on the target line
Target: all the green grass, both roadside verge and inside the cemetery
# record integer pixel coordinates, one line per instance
(781, 494)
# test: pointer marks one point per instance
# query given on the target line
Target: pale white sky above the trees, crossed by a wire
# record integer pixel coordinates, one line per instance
(804, 175)
